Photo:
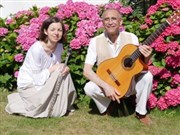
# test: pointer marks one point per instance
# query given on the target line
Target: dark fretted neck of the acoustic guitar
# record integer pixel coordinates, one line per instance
(150, 39)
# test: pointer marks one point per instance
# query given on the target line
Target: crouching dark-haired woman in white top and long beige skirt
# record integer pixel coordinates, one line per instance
(38, 76)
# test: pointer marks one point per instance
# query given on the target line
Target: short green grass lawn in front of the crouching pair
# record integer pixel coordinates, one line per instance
(83, 122)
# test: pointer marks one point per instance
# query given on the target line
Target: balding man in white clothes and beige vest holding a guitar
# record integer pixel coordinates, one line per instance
(108, 45)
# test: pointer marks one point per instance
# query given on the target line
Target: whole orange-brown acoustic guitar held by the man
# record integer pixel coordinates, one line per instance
(119, 71)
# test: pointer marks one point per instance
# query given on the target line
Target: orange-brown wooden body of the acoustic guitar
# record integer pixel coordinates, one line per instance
(114, 72)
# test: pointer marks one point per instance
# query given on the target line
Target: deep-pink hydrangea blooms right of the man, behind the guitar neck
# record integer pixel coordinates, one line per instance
(166, 59)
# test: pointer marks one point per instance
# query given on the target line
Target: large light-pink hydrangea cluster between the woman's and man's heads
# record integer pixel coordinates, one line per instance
(86, 18)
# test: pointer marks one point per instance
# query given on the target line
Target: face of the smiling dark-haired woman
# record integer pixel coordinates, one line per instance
(54, 32)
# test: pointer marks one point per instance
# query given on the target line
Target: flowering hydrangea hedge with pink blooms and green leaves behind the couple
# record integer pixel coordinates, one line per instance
(82, 22)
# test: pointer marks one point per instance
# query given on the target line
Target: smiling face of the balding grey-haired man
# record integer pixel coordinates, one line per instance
(111, 21)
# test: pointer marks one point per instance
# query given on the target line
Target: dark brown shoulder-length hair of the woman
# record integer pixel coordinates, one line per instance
(45, 26)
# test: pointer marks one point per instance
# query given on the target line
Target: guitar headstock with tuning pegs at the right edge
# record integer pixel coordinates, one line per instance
(175, 18)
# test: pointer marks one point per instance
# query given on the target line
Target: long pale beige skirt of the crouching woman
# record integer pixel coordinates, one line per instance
(35, 103)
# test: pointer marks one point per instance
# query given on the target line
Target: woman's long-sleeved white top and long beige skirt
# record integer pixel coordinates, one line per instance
(36, 85)
